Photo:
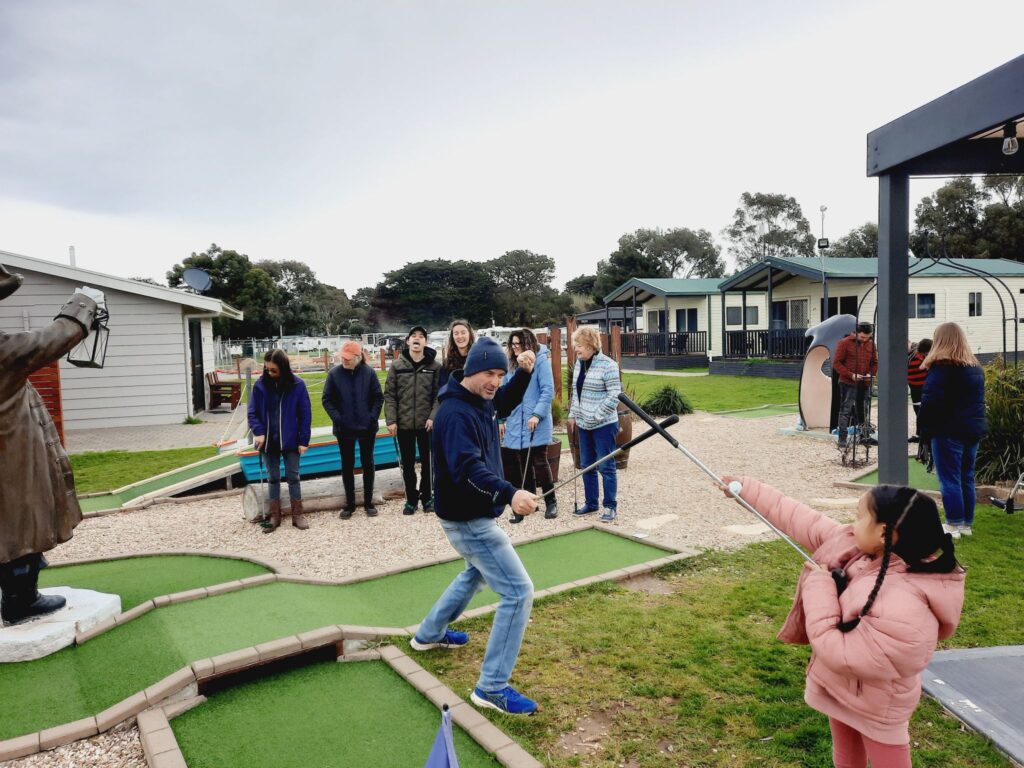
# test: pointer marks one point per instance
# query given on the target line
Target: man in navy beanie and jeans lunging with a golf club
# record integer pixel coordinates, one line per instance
(471, 495)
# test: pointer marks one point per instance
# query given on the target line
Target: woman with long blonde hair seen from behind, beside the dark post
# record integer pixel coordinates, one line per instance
(953, 417)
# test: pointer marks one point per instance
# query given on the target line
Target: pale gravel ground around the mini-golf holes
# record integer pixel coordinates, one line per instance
(661, 493)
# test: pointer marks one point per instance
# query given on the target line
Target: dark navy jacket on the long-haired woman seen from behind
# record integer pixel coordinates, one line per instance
(953, 404)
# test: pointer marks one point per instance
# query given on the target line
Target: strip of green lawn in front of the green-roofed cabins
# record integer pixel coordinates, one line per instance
(717, 393)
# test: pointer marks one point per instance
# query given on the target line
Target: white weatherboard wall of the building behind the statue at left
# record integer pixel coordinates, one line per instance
(145, 380)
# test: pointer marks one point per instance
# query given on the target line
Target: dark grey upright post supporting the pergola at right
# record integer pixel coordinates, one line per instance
(894, 211)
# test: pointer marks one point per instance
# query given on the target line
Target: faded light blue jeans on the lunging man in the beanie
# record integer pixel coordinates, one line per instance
(492, 561)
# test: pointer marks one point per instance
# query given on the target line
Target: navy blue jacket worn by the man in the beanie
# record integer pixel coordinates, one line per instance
(468, 479)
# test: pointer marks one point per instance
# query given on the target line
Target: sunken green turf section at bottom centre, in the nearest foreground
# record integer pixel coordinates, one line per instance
(333, 714)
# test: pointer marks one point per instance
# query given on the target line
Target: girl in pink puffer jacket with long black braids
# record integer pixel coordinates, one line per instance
(869, 646)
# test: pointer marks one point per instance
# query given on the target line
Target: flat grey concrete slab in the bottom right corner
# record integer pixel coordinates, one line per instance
(985, 688)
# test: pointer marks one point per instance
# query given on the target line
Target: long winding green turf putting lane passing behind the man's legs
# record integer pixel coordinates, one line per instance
(84, 680)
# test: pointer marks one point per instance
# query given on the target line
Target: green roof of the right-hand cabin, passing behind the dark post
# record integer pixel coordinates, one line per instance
(755, 278)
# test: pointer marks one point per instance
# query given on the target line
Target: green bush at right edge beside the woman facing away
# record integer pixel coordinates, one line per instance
(1001, 455)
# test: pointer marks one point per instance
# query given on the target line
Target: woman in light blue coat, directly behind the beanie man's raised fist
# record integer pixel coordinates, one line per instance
(528, 429)
